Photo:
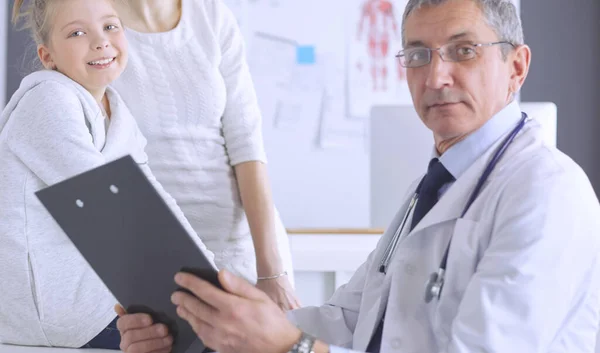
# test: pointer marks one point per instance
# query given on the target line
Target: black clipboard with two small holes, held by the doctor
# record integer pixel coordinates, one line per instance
(132, 240)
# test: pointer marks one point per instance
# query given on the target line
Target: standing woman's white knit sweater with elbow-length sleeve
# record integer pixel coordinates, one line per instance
(192, 95)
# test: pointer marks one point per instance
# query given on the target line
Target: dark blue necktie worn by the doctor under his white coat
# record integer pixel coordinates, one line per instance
(436, 177)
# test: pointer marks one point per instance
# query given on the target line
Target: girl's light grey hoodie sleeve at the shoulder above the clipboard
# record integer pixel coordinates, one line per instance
(50, 136)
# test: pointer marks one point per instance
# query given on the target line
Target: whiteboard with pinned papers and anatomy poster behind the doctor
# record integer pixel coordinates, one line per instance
(316, 102)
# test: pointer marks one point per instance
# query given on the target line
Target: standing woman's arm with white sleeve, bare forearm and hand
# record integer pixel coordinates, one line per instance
(242, 130)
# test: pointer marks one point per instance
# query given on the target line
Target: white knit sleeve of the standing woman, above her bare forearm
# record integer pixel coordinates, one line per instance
(242, 120)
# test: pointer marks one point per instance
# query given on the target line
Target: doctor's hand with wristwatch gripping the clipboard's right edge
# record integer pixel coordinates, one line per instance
(241, 319)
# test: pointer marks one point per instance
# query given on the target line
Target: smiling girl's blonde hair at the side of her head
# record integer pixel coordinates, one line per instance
(36, 18)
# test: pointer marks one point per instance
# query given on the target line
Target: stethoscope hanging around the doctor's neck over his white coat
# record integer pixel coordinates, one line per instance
(435, 283)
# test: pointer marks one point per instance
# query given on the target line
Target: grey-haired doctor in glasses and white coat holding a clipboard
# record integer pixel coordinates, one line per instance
(495, 249)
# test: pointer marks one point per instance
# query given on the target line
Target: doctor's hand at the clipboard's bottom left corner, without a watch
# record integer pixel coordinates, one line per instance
(140, 335)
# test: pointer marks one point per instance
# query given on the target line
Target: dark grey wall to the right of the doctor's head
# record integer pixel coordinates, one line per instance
(565, 40)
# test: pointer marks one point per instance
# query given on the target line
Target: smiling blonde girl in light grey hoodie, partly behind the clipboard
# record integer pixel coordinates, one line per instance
(62, 121)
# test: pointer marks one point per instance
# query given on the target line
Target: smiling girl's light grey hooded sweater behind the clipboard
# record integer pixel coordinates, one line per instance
(53, 129)
